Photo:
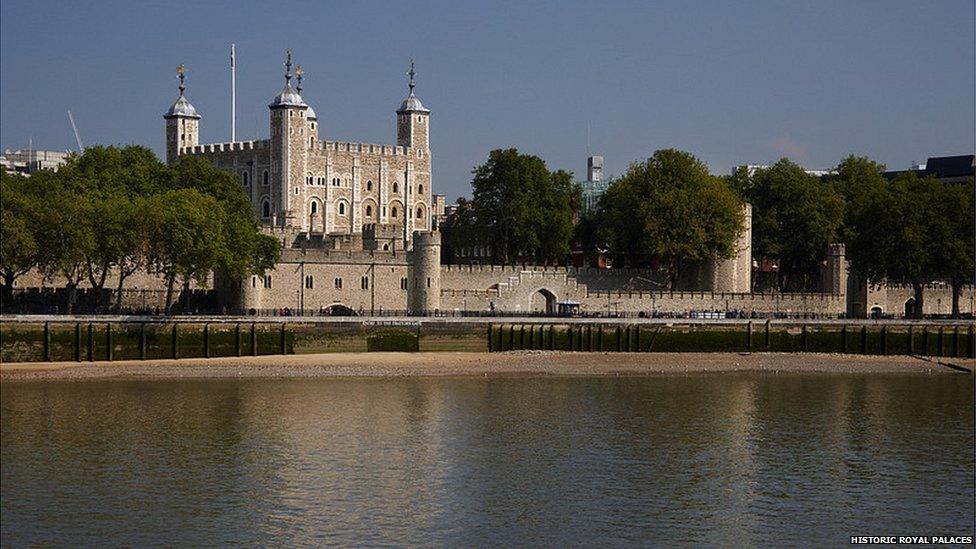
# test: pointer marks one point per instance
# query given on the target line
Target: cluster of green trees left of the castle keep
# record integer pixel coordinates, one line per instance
(118, 210)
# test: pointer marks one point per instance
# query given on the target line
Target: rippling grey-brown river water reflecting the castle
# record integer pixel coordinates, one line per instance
(733, 459)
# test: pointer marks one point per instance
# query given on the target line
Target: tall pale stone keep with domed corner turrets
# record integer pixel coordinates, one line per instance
(297, 181)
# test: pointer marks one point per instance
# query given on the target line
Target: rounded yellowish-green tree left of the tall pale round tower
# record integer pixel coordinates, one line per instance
(671, 209)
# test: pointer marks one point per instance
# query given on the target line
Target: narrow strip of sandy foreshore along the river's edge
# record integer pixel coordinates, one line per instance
(522, 363)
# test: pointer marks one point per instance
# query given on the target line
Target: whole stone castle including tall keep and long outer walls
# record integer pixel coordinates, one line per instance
(357, 224)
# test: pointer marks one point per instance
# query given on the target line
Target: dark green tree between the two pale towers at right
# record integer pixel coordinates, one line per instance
(795, 216)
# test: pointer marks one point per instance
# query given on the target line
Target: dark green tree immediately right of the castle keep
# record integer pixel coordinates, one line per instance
(520, 209)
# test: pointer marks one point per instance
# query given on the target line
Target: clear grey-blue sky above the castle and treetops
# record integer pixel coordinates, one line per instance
(731, 82)
